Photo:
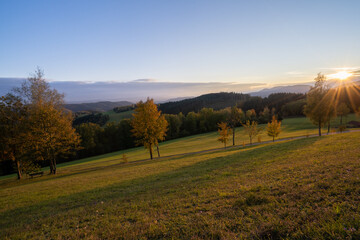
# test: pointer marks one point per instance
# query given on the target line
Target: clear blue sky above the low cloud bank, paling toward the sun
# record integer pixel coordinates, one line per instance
(179, 41)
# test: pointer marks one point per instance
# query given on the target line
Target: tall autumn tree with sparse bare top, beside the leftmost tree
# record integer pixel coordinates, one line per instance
(50, 123)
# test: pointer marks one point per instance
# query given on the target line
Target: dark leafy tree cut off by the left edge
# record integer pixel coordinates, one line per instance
(14, 125)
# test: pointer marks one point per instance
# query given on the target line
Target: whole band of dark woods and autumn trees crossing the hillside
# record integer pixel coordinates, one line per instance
(38, 130)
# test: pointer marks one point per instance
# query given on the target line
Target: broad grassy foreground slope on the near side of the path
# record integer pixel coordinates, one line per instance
(300, 189)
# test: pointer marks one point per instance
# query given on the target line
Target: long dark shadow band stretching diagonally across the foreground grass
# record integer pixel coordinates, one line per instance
(192, 176)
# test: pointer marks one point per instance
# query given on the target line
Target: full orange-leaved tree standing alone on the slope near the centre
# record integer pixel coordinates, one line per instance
(149, 126)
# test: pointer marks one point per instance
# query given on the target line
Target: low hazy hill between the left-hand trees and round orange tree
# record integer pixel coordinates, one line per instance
(97, 106)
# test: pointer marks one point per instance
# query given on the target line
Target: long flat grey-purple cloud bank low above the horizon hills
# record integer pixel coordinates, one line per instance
(135, 90)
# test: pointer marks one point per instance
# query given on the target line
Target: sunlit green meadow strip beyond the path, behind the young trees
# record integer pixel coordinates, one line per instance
(291, 127)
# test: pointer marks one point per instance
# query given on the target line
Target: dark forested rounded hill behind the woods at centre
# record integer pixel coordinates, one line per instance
(216, 101)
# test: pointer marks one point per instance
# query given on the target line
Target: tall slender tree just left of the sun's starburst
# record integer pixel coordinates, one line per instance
(317, 106)
